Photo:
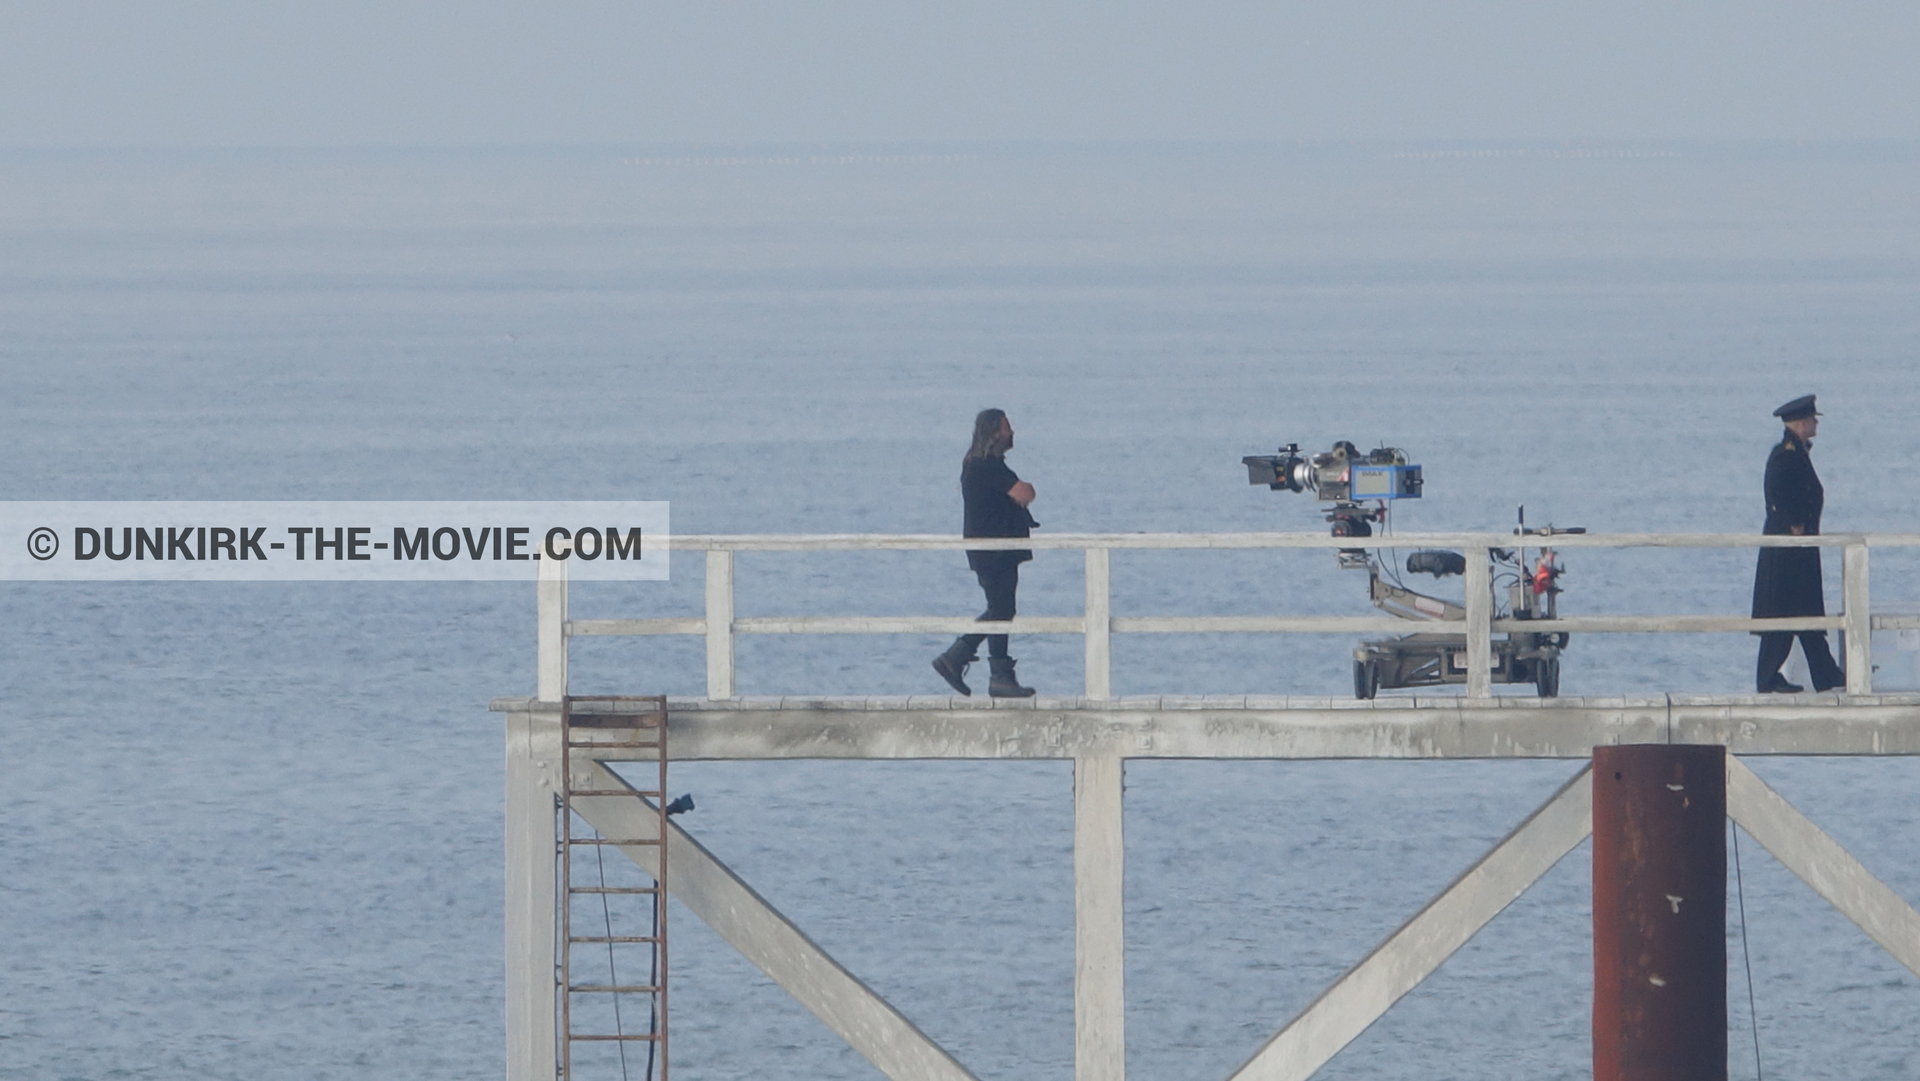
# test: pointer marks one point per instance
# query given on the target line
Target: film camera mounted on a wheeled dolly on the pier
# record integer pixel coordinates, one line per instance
(1345, 477)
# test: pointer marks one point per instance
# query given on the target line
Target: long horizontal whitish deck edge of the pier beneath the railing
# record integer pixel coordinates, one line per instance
(1259, 727)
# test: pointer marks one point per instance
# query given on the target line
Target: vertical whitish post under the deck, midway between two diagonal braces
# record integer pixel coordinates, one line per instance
(1099, 921)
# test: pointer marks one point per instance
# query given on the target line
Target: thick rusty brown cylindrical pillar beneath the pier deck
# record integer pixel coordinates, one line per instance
(1660, 913)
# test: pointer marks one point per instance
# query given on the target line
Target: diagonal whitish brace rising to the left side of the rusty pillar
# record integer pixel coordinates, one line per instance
(1424, 944)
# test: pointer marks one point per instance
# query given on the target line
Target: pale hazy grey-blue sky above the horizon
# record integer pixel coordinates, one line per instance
(587, 72)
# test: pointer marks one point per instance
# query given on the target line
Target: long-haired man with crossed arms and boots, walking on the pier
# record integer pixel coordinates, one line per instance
(996, 508)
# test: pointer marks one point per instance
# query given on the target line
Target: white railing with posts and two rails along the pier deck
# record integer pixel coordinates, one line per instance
(719, 625)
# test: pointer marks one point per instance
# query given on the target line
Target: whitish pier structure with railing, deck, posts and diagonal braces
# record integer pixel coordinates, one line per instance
(1101, 733)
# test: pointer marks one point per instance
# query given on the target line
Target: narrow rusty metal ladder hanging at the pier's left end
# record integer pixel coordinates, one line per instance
(588, 725)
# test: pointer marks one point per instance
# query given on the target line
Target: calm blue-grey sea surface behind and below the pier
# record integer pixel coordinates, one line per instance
(252, 830)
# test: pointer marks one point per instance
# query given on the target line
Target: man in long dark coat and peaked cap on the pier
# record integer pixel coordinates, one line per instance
(1788, 579)
